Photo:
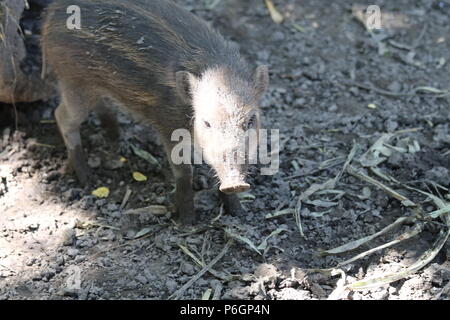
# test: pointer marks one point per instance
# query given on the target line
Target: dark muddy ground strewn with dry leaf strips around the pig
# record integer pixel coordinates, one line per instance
(58, 241)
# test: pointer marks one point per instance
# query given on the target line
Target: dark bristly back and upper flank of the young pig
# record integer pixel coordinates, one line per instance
(132, 45)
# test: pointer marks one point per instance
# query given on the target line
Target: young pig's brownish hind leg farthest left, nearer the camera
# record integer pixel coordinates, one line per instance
(70, 114)
